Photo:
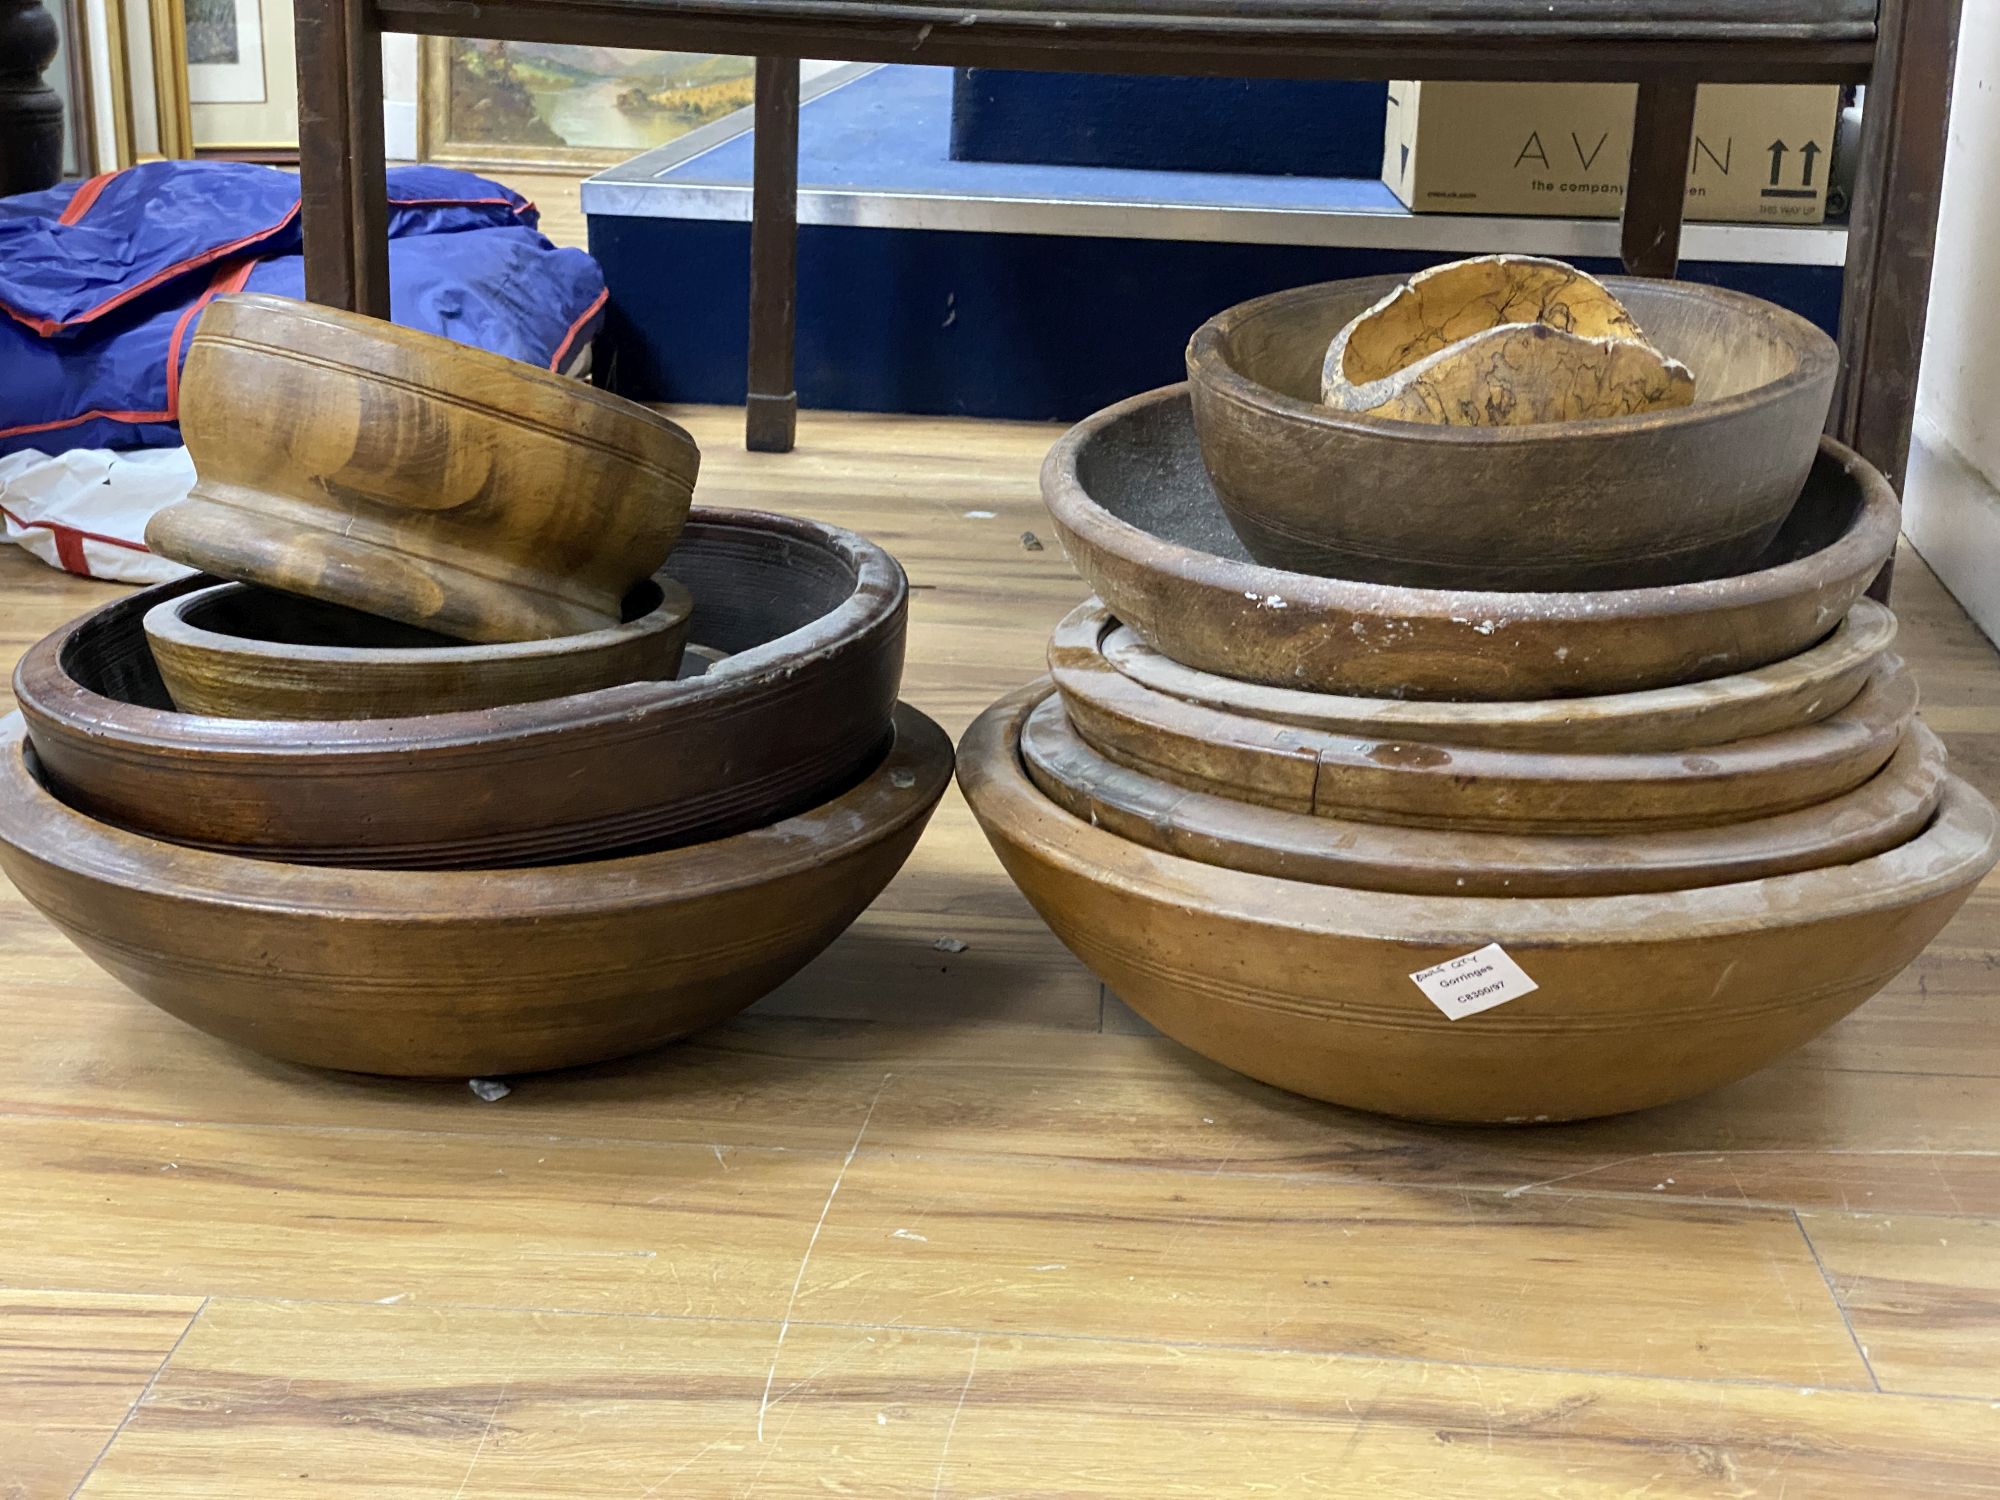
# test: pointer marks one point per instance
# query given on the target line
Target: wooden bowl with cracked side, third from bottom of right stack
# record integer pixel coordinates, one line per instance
(1467, 787)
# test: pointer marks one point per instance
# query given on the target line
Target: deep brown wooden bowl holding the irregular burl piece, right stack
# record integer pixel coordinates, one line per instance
(1611, 503)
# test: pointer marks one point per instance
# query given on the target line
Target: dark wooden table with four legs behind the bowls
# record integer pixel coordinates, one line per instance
(1901, 49)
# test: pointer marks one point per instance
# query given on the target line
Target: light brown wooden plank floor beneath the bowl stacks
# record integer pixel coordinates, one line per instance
(959, 1225)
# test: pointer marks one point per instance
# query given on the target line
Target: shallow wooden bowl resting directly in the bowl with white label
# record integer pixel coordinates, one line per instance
(1885, 811)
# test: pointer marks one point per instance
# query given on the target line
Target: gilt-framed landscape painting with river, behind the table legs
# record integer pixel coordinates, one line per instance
(559, 105)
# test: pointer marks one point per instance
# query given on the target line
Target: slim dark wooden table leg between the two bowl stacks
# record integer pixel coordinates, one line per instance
(773, 403)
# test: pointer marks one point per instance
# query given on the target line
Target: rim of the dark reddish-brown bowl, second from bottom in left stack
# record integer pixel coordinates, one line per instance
(45, 691)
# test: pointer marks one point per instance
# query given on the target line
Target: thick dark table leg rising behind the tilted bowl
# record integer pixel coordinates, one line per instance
(341, 173)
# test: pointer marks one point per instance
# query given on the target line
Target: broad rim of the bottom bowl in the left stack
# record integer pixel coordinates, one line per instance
(905, 783)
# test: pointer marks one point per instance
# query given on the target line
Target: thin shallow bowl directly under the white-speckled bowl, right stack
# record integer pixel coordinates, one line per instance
(1785, 695)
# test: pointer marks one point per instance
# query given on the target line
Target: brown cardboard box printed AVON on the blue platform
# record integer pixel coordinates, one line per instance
(1761, 151)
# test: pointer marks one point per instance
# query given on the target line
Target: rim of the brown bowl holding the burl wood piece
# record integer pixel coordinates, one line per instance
(1209, 367)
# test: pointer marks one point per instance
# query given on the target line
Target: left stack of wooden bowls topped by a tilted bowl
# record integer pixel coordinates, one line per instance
(477, 749)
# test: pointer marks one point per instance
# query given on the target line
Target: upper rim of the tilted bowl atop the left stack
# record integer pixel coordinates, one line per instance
(413, 343)
